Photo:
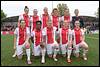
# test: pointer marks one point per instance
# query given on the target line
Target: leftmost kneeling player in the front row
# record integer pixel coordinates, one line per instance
(21, 38)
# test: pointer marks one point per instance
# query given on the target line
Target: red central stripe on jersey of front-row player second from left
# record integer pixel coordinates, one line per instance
(38, 37)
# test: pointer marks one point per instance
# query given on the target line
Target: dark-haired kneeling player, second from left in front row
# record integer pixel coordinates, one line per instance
(39, 46)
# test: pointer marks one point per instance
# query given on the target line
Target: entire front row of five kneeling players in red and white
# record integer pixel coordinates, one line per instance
(46, 40)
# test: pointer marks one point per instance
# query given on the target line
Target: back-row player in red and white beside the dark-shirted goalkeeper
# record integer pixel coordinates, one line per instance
(67, 17)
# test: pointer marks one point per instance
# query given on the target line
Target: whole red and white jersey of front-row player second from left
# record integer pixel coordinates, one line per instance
(37, 36)
